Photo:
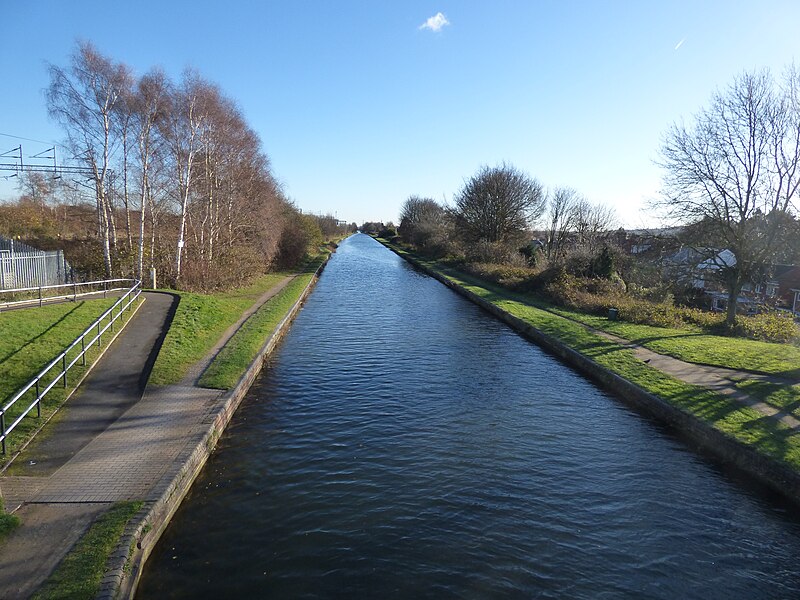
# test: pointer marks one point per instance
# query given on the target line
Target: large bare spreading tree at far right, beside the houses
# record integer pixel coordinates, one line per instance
(736, 171)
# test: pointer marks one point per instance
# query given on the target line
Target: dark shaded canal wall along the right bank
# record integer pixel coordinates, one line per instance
(728, 449)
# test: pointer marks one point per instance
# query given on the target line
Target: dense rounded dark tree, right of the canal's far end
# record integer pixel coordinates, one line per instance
(498, 204)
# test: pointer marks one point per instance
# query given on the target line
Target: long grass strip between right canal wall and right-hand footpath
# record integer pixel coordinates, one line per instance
(741, 422)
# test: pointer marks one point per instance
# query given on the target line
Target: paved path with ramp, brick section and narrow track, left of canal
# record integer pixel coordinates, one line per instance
(114, 443)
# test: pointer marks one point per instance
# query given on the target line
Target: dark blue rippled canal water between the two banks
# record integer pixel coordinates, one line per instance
(404, 444)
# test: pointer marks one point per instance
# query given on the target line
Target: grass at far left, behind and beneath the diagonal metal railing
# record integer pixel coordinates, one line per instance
(30, 339)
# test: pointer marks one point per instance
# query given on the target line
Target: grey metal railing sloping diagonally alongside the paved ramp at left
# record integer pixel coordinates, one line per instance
(37, 385)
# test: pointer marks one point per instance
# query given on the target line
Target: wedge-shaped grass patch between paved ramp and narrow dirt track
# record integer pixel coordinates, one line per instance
(199, 321)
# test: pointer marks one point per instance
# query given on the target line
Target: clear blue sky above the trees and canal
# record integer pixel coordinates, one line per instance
(358, 107)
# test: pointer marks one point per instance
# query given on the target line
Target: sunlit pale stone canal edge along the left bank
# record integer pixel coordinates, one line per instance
(126, 564)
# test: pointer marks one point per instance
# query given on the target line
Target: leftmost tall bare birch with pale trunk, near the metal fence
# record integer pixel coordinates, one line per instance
(82, 99)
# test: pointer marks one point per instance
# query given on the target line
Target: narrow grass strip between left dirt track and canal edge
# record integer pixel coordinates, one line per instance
(237, 355)
